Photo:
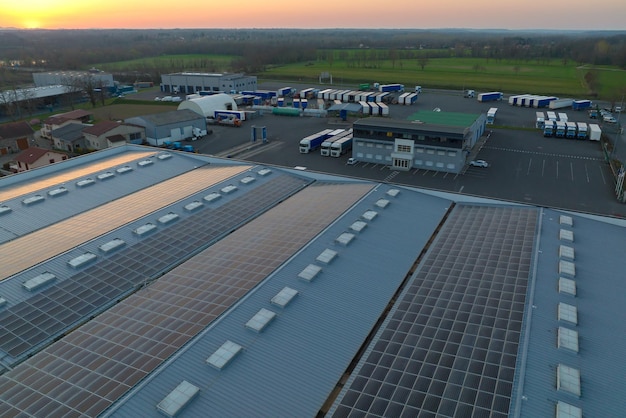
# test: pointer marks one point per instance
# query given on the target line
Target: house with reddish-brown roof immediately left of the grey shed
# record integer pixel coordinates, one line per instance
(109, 134)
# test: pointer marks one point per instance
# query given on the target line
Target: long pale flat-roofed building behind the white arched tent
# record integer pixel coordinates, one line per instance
(188, 83)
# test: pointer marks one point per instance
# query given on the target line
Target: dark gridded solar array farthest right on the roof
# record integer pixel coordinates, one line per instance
(450, 345)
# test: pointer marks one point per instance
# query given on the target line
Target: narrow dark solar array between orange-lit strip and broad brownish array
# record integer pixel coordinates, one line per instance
(32, 322)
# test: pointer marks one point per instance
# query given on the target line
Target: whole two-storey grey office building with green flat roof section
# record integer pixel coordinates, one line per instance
(438, 141)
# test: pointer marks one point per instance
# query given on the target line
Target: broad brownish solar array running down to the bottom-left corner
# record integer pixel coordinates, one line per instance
(86, 371)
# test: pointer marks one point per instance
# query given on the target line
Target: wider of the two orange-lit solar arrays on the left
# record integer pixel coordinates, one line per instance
(26, 251)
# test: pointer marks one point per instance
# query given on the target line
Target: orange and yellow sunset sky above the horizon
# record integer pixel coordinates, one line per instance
(312, 14)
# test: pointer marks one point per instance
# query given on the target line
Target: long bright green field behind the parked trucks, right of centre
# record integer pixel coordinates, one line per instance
(551, 78)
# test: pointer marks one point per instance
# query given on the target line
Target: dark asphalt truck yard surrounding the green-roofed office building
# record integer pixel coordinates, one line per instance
(523, 165)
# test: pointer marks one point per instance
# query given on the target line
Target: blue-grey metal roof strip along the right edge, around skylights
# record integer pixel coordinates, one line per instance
(599, 299)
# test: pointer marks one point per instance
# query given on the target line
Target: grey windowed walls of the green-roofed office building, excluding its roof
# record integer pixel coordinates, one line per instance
(418, 148)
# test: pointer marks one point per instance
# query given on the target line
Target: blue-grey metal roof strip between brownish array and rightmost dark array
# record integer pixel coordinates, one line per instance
(290, 368)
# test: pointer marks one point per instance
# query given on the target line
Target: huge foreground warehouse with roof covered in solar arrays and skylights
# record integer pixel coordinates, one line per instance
(144, 282)
